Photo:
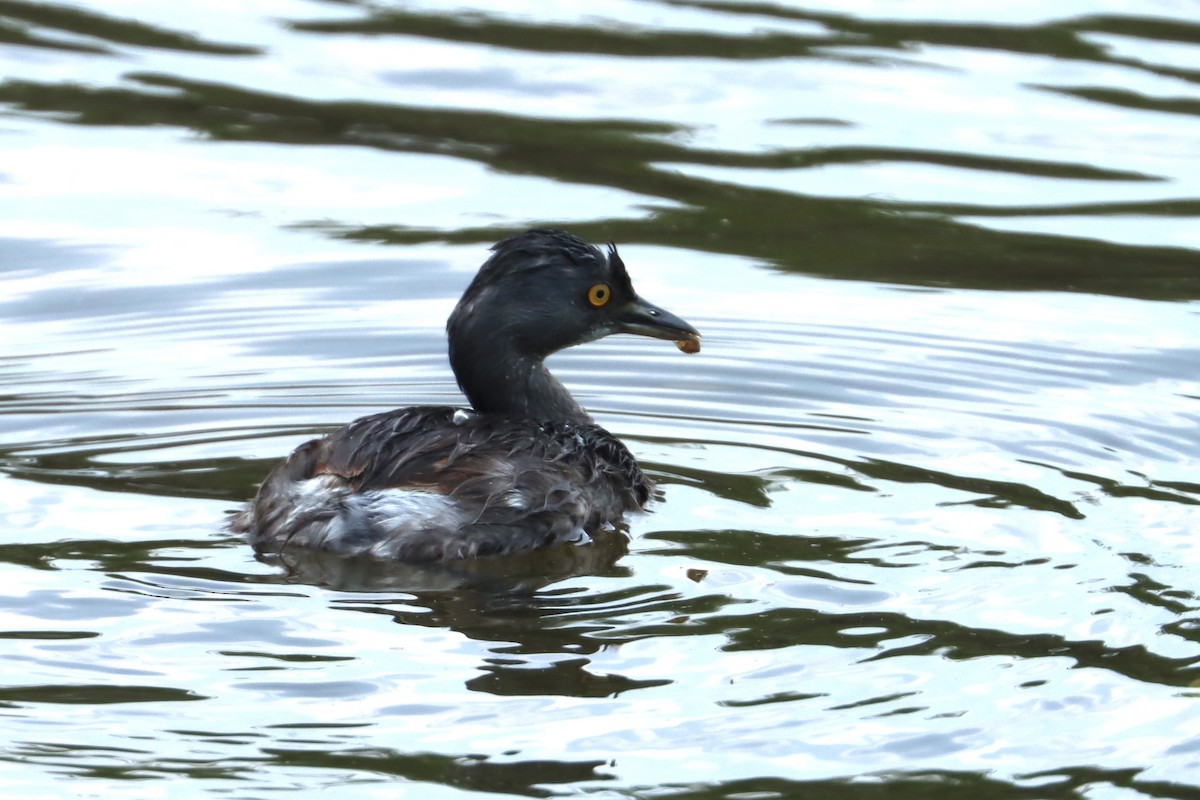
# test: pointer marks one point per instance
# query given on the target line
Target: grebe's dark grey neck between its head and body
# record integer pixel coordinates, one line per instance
(500, 381)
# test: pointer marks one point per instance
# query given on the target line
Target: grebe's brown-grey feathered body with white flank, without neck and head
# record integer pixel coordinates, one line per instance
(434, 484)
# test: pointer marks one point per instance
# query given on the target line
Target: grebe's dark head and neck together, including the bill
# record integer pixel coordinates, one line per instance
(541, 292)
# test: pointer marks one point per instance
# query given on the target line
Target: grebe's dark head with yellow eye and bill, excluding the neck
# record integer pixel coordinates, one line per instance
(544, 291)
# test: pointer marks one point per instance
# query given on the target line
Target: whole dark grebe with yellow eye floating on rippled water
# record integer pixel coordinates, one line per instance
(525, 468)
